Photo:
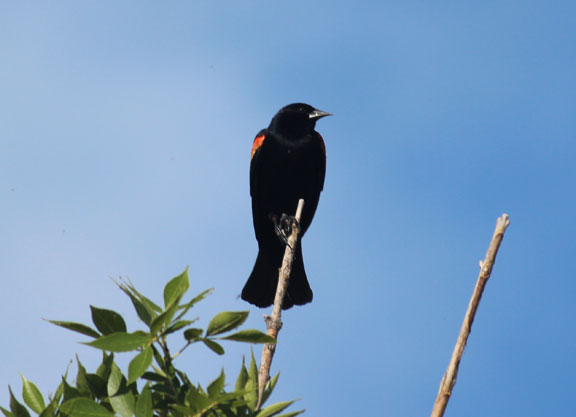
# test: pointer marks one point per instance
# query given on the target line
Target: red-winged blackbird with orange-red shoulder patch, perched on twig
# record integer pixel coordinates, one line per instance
(288, 163)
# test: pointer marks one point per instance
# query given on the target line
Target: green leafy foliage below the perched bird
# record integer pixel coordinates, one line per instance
(164, 389)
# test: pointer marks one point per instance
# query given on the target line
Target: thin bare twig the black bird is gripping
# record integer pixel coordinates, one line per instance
(274, 322)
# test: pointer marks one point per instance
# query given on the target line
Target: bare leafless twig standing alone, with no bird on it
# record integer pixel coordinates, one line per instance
(449, 379)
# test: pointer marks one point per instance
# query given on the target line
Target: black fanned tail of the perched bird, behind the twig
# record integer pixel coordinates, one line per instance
(260, 288)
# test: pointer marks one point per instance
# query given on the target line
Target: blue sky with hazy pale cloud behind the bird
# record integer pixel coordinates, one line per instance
(125, 137)
